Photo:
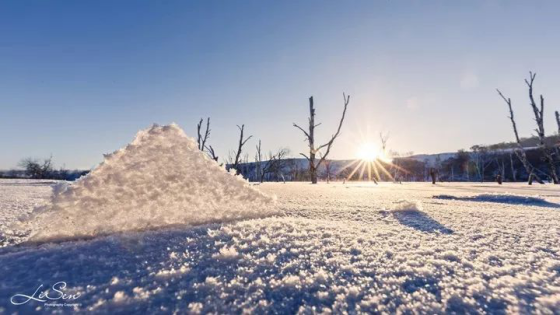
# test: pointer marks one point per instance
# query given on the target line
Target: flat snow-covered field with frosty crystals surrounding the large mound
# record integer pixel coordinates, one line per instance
(464, 248)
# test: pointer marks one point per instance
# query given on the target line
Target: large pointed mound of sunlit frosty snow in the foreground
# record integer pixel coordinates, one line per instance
(158, 180)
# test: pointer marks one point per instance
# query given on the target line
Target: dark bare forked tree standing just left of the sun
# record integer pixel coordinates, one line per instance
(310, 136)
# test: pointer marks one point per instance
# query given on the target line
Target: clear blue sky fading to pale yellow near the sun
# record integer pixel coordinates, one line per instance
(79, 78)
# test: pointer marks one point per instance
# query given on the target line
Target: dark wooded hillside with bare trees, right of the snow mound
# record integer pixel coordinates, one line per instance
(536, 158)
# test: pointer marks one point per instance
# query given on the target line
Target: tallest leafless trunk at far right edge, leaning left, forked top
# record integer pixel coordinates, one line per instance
(539, 119)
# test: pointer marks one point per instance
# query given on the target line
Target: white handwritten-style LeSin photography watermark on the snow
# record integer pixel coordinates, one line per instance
(53, 296)
